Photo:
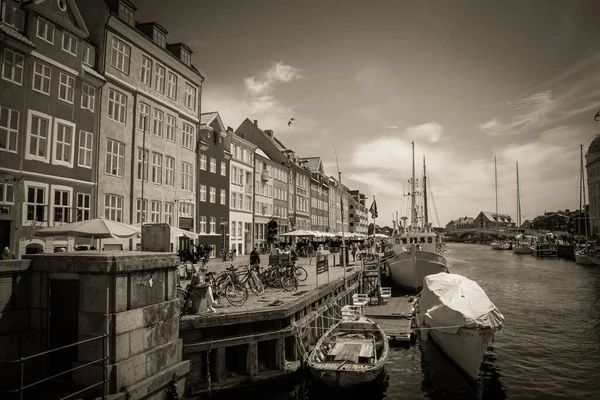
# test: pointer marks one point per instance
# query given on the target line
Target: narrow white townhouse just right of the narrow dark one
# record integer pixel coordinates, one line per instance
(241, 183)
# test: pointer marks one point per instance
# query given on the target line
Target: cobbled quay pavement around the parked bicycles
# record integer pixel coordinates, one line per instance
(275, 297)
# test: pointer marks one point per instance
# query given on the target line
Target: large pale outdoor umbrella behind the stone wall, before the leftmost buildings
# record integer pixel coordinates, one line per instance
(97, 228)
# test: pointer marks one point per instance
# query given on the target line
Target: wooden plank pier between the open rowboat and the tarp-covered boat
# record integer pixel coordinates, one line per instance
(394, 316)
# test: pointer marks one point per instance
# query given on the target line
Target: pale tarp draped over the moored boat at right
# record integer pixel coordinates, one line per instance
(453, 301)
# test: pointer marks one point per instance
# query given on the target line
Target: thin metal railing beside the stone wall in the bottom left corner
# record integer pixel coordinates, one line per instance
(21, 361)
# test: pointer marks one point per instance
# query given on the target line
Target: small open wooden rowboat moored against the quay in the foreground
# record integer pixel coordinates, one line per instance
(352, 352)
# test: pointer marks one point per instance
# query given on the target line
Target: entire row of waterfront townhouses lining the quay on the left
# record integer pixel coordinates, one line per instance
(100, 116)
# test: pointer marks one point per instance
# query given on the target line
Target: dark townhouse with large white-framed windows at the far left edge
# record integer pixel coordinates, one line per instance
(49, 110)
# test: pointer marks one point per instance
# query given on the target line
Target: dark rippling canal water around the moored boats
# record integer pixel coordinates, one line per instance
(549, 349)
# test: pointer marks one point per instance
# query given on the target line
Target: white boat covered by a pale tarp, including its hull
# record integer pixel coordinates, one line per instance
(460, 318)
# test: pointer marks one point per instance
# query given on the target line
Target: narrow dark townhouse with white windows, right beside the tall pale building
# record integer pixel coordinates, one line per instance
(213, 184)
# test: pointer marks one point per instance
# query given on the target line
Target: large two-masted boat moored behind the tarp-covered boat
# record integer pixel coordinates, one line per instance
(417, 247)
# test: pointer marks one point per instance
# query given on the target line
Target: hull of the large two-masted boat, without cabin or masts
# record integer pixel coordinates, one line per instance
(409, 267)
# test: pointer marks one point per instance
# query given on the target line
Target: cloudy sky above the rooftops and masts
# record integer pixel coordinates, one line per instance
(466, 81)
